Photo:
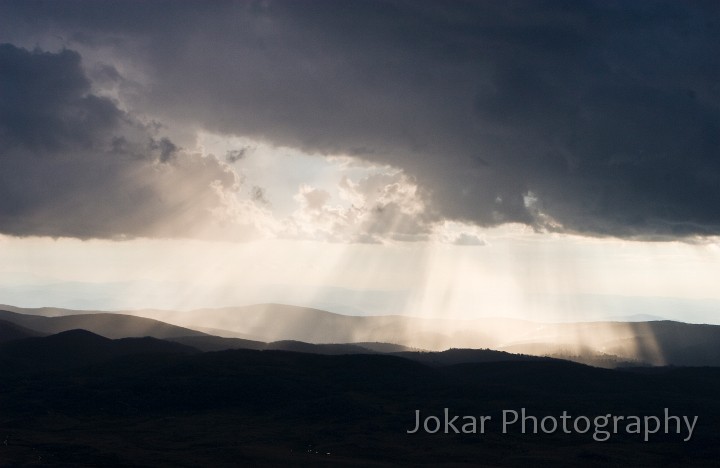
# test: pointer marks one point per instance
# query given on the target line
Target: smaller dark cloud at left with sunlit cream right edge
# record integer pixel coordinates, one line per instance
(73, 164)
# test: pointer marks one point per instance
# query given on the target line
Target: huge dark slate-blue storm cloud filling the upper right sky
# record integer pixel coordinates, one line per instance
(608, 113)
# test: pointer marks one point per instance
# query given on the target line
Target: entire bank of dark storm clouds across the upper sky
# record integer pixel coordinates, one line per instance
(598, 118)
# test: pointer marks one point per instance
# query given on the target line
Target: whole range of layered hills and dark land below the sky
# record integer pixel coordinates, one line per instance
(116, 389)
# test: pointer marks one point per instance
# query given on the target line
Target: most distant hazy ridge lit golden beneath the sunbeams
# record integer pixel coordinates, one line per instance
(609, 343)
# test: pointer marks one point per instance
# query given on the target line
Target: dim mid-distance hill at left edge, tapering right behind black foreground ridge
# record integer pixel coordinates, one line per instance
(107, 325)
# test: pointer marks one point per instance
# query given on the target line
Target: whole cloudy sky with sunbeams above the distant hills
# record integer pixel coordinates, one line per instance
(547, 160)
